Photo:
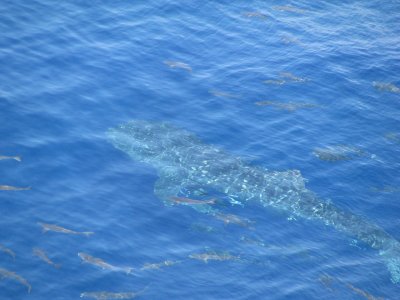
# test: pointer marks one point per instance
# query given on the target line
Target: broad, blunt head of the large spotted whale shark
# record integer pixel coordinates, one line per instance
(148, 141)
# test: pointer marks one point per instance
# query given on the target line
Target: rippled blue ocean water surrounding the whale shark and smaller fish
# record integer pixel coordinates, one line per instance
(267, 81)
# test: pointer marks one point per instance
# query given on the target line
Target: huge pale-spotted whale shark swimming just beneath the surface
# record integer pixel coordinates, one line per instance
(185, 163)
